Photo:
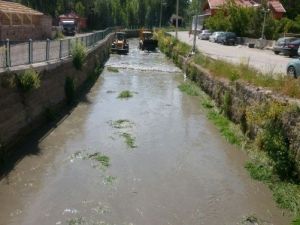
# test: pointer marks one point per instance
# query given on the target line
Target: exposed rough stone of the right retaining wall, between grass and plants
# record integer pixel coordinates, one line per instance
(243, 96)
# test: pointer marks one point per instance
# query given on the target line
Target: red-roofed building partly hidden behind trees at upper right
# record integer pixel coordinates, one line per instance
(277, 9)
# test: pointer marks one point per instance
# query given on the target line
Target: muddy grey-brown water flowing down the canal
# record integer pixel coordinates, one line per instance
(177, 171)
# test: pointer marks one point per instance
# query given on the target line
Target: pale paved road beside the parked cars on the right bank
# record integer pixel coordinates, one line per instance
(263, 60)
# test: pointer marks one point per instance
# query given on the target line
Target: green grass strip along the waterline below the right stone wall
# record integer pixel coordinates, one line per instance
(260, 165)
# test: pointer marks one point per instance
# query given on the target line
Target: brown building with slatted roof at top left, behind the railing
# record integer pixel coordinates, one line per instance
(20, 23)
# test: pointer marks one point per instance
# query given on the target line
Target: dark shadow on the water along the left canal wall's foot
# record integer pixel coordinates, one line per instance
(29, 144)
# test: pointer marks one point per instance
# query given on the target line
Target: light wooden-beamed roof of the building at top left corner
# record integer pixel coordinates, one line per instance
(12, 7)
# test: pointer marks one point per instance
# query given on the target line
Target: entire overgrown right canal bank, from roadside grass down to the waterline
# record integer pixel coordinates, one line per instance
(269, 117)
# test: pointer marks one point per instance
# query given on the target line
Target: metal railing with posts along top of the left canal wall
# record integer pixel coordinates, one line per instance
(16, 54)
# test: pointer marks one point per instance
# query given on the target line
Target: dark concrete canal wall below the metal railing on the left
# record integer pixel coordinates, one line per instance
(22, 112)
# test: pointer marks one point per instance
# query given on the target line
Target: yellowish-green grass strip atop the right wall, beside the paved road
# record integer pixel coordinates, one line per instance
(279, 83)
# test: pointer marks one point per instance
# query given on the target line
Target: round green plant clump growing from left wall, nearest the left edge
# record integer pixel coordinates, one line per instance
(29, 80)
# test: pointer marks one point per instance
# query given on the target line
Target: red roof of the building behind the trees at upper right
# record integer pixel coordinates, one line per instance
(274, 4)
